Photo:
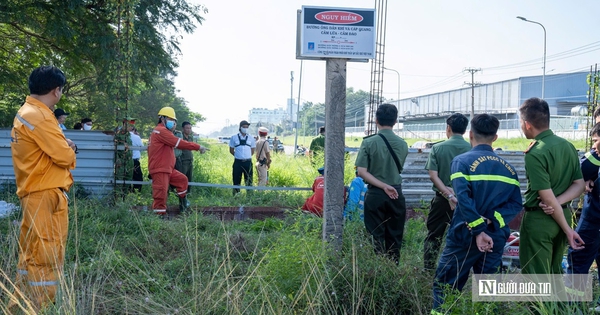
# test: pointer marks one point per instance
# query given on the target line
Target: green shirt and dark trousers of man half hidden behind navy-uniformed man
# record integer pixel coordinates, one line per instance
(440, 213)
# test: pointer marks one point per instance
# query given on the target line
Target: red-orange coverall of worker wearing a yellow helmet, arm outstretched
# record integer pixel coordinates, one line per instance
(161, 166)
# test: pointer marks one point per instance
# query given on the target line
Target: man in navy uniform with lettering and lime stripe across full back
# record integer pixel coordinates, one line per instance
(489, 197)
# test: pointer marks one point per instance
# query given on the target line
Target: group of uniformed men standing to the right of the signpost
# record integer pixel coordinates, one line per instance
(477, 194)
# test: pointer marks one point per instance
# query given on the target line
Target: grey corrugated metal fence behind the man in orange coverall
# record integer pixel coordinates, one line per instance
(95, 160)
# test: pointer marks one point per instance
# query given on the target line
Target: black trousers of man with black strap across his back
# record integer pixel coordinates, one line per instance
(384, 219)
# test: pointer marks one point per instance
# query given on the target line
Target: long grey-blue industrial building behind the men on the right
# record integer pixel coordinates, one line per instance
(566, 95)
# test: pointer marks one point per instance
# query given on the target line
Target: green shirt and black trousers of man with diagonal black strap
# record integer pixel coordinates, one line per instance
(384, 217)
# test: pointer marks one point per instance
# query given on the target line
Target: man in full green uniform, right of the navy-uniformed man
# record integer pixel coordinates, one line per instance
(553, 180)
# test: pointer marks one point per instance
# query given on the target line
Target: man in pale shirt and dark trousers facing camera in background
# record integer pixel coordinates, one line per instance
(242, 146)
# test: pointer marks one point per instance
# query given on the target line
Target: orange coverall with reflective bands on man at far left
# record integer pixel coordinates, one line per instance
(42, 161)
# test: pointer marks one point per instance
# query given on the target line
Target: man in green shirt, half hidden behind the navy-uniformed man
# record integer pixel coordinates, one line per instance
(442, 205)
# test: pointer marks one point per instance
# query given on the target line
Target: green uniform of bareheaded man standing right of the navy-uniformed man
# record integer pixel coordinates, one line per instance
(551, 162)
